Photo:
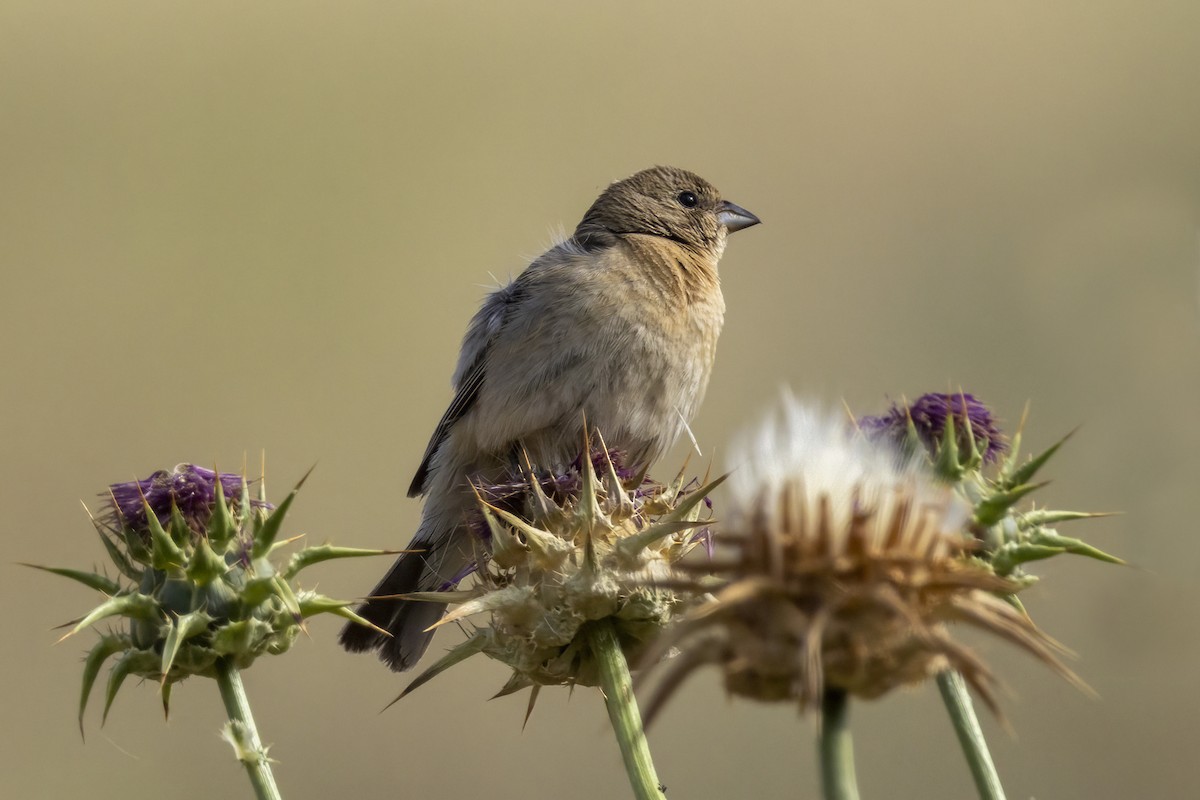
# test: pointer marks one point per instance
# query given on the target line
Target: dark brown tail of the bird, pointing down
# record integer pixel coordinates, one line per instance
(406, 621)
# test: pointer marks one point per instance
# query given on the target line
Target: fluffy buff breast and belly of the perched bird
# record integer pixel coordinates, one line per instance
(627, 347)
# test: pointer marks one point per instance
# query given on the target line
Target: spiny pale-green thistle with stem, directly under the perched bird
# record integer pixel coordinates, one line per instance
(574, 573)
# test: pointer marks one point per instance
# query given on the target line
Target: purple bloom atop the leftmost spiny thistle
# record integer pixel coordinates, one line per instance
(189, 488)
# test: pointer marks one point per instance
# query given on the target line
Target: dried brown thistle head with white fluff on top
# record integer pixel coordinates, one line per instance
(843, 567)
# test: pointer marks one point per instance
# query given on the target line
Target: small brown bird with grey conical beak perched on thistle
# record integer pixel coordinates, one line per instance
(617, 324)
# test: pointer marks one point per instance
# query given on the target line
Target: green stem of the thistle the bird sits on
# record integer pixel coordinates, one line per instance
(627, 720)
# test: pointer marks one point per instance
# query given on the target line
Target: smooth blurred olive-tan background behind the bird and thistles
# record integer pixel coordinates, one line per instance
(230, 227)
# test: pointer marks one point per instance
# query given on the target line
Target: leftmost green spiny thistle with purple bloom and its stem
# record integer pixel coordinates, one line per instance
(199, 593)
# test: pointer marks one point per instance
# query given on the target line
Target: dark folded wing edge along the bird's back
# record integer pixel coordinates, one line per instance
(470, 374)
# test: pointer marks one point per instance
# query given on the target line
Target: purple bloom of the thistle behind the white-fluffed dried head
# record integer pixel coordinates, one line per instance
(931, 414)
